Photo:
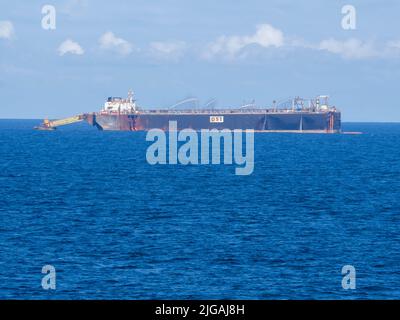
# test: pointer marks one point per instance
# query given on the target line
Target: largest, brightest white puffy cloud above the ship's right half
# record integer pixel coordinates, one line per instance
(265, 36)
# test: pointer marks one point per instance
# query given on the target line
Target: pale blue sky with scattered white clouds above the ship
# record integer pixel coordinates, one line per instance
(171, 49)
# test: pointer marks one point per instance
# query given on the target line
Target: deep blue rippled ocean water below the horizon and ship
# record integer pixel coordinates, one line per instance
(115, 227)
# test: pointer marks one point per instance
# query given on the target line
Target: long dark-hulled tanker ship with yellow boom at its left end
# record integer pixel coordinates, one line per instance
(297, 115)
